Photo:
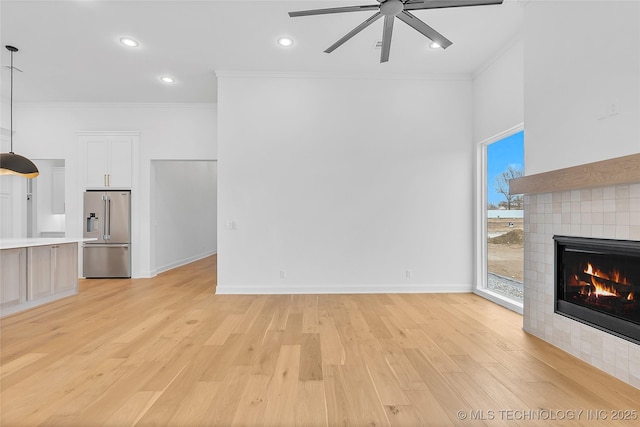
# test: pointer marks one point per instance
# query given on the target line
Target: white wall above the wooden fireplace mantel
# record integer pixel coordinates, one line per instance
(581, 56)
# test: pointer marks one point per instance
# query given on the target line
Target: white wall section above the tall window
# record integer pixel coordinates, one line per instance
(498, 93)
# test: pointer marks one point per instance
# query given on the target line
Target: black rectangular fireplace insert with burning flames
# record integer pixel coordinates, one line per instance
(598, 283)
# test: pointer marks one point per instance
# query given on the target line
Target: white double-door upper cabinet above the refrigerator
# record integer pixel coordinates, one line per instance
(108, 159)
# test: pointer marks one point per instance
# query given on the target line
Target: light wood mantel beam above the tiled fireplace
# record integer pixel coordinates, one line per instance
(617, 171)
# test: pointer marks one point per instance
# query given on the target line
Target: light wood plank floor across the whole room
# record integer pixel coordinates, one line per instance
(167, 351)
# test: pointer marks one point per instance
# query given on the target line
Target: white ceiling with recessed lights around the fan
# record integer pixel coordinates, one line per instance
(70, 50)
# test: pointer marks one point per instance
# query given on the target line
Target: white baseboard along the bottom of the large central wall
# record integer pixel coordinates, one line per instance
(221, 289)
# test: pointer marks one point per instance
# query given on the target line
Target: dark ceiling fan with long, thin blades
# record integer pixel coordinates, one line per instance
(391, 9)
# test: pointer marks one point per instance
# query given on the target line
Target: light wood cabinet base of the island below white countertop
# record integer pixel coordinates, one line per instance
(36, 275)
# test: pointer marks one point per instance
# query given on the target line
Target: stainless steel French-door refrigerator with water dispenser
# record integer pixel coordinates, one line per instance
(107, 217)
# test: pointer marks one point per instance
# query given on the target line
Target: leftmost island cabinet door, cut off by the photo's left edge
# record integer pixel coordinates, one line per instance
(13, 276)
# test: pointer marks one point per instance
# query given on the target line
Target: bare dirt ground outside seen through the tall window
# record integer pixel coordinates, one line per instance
(505, 248)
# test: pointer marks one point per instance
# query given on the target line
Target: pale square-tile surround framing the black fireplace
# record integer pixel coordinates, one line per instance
(611, 212)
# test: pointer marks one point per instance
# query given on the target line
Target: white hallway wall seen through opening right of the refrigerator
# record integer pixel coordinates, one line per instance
(184, 200)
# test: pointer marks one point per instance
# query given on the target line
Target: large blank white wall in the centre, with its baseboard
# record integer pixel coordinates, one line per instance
(344, 184)
